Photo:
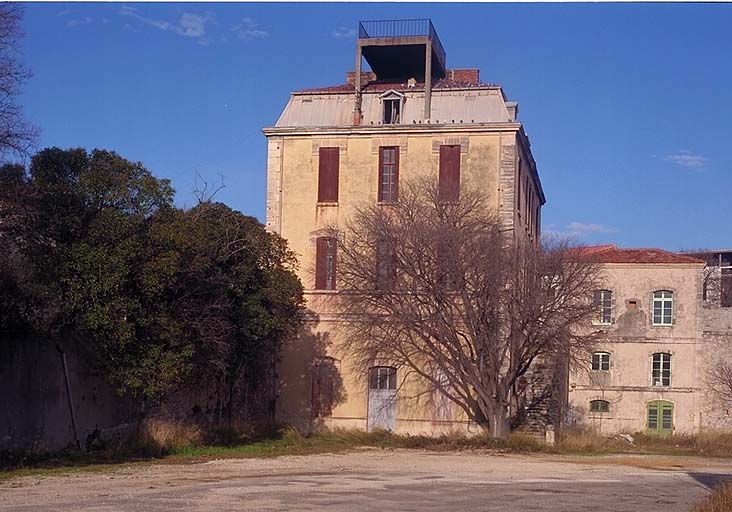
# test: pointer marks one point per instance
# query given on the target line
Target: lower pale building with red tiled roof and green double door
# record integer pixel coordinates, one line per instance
(651, 371)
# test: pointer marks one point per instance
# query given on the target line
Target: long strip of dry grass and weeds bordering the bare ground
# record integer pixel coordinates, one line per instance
(159, 438)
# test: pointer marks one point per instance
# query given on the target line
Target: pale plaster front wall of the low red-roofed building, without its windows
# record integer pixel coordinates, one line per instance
(632, 339)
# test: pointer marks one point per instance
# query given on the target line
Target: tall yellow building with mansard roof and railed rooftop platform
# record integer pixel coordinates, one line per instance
(334, 148)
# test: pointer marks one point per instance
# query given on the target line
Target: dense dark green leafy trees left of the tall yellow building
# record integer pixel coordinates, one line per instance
(161, 296)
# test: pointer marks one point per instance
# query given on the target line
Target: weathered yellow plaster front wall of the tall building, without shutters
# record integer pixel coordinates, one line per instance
(295, 213)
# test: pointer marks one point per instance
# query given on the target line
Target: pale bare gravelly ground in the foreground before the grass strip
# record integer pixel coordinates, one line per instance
(366, 480)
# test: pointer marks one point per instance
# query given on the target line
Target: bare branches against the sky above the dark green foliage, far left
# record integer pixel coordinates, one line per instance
(16, 135)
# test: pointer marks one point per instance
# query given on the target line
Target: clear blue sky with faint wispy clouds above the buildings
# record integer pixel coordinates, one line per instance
(628, 106)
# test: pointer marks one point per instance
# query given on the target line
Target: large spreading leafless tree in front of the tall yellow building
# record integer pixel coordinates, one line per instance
(440, 289)
